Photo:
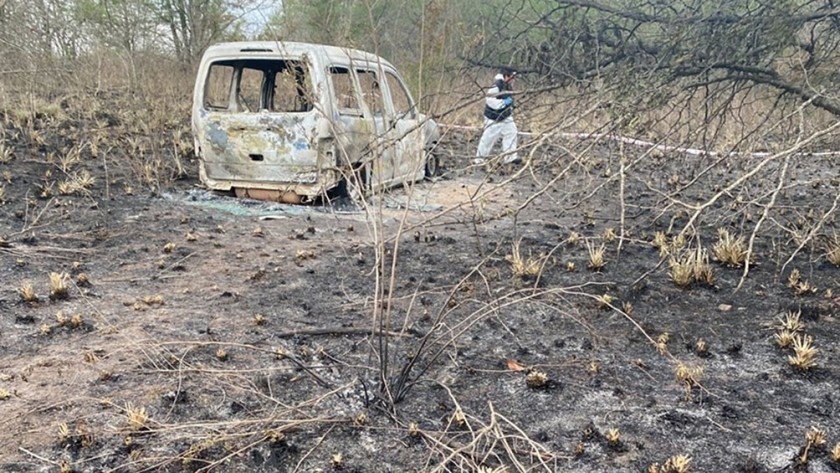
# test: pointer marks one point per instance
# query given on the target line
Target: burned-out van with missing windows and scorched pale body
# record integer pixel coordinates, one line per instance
(291, 121)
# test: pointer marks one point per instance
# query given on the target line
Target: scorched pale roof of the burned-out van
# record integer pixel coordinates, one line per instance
(241, 49)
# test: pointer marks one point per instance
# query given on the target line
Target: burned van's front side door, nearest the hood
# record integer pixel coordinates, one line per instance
(409, 153)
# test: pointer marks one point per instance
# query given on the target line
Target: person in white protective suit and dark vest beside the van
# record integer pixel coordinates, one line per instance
(498, 120)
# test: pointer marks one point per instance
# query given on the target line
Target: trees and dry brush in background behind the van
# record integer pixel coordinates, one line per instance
(642, 54)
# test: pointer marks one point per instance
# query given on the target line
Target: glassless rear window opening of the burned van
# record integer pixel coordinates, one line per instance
(237, 86)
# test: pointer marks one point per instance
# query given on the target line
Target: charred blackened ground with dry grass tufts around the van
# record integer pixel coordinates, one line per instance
(242, 329)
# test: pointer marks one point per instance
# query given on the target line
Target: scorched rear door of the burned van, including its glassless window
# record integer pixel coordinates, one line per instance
(257, 122)
